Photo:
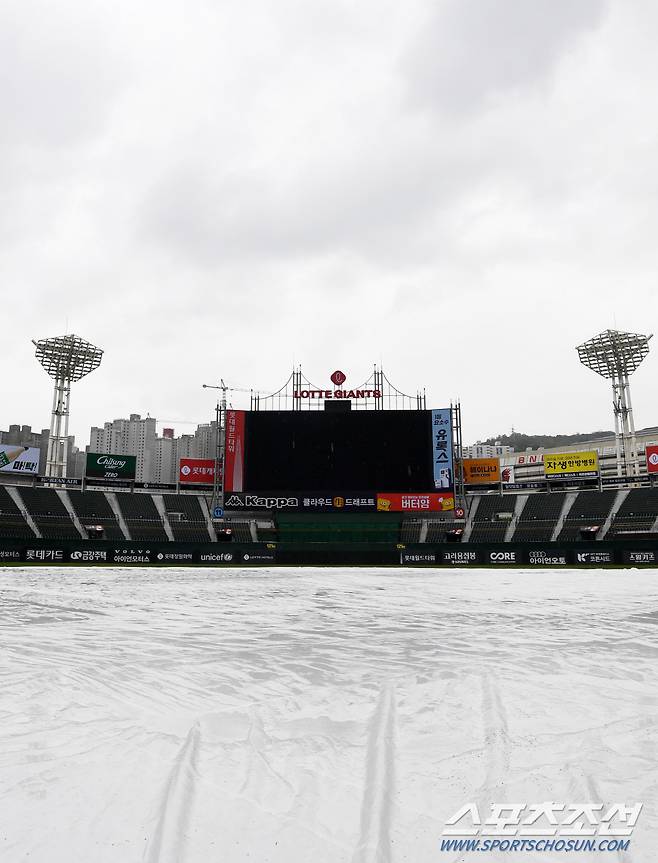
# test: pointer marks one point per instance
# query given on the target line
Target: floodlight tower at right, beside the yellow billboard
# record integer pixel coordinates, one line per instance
(616, 355)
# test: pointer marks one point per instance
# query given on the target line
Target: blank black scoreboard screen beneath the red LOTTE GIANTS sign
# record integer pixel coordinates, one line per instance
(318, 451)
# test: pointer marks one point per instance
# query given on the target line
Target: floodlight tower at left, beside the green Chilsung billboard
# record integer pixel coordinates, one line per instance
(66, 359)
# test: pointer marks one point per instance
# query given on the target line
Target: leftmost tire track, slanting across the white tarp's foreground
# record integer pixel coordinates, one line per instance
(167, 844)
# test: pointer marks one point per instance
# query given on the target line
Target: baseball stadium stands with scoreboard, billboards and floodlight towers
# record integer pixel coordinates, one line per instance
(335, 474)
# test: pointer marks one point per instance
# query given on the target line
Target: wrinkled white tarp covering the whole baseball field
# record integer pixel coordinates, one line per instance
(317, 715)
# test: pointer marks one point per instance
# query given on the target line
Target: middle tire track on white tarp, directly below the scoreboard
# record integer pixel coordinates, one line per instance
(374, 844)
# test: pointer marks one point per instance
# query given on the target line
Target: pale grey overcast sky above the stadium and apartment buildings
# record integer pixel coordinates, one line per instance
(463, 190)
